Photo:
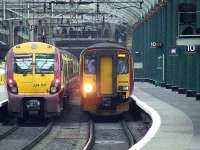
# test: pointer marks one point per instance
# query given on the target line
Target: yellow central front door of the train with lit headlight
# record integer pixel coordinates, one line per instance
(106, 75)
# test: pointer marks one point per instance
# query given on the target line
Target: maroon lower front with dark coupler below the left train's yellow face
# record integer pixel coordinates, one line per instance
(47, 106)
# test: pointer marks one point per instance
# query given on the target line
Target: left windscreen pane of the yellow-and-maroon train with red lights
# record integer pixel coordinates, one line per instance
(23, 64)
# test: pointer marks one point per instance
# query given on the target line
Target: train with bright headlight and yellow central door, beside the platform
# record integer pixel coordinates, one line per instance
(106, 77)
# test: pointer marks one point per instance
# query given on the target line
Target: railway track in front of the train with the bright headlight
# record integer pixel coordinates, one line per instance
(109, 136)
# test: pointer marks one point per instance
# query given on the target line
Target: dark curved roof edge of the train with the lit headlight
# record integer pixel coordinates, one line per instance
(106, 45)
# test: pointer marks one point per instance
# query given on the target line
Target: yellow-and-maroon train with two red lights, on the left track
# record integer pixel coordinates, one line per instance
(38, 76)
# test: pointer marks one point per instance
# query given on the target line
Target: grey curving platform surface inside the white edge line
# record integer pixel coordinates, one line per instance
(179, 115)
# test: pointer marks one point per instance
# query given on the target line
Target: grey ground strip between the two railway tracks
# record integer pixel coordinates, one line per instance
(69, 132)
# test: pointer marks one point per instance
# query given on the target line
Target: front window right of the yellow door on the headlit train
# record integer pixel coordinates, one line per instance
(122, 66)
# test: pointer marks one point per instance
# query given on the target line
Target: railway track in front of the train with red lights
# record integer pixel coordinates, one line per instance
(23, 138)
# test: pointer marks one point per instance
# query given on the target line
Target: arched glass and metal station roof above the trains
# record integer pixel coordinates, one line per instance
(124, 12)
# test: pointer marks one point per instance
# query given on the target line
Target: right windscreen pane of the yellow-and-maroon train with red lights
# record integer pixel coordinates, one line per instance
(44, 63)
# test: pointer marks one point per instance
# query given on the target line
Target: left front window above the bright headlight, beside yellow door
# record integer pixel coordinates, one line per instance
(90, 64)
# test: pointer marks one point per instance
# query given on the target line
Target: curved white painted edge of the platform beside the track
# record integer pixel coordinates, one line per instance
(156, 122)
